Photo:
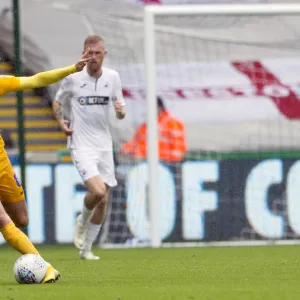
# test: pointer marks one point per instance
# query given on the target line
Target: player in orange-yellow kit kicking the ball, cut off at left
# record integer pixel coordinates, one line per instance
(13, 209)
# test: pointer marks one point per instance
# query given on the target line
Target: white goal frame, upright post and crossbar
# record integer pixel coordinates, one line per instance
(150, 12)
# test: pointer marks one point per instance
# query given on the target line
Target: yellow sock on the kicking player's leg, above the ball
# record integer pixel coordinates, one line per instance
(17, 239)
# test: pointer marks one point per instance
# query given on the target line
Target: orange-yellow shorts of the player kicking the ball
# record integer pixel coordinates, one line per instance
(10, 187)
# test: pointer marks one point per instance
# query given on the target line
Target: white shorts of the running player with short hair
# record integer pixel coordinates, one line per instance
(95, 163)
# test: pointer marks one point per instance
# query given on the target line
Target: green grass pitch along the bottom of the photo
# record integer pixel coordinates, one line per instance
(229, 273)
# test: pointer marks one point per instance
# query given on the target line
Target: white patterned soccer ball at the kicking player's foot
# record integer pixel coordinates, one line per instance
(30, 269)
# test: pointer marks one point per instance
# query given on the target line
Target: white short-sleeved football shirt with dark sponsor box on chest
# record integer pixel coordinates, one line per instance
(90, 100)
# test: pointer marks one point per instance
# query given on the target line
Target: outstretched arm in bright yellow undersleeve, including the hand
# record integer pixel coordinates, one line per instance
(49, 77)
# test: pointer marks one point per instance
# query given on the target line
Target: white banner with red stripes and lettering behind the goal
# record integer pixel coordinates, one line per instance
(221, 91)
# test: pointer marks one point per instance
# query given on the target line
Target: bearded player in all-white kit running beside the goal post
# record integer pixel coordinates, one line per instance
(90, 93)
